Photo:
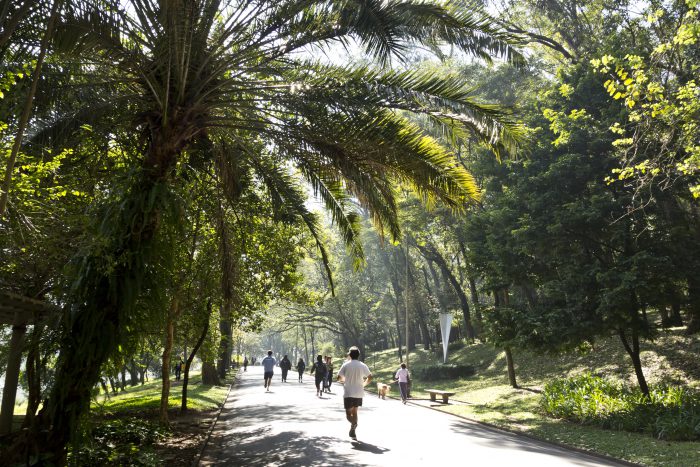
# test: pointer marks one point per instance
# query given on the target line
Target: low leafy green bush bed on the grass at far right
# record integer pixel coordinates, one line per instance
(668, 413)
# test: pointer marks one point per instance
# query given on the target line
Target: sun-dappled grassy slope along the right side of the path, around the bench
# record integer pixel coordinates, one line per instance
(672, 359)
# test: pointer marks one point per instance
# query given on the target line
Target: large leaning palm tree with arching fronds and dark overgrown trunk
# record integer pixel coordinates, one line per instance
(235, 82)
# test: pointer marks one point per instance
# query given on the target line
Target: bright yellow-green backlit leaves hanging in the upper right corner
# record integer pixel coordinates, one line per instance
(658, 141)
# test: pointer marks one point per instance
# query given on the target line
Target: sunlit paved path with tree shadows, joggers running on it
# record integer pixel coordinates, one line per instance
(290, 426)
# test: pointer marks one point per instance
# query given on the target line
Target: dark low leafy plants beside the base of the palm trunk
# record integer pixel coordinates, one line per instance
(119, 442)
